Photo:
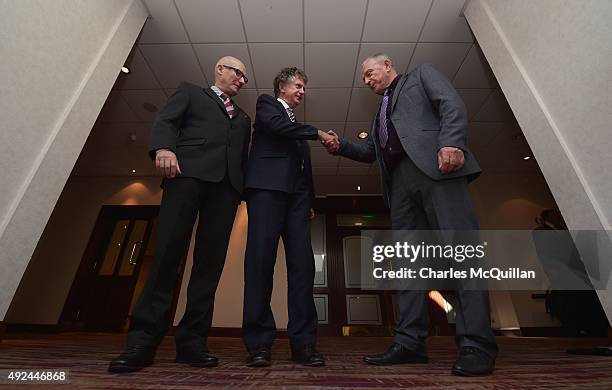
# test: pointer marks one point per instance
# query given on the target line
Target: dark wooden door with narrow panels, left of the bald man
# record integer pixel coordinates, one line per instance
(113, 269)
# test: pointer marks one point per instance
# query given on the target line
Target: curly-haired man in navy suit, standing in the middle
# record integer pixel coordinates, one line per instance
(279, 199)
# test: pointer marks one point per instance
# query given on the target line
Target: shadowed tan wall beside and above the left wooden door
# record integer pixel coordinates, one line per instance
(46, 284)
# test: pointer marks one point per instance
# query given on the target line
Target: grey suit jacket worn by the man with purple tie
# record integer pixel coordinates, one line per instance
(428, 114)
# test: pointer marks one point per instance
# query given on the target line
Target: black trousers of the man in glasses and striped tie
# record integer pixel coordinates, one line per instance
(182, 200)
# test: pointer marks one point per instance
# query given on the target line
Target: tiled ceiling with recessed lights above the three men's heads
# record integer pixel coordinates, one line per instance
(183, 39)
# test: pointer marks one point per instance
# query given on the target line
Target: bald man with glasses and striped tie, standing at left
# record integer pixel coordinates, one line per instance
(200, 144)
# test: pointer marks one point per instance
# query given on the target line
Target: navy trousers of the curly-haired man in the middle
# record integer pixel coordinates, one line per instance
(273, 214)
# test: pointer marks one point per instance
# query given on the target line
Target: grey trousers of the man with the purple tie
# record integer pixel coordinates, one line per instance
(417, 202)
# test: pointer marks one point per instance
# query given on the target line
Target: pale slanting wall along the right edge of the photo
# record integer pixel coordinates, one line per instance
(553, 60)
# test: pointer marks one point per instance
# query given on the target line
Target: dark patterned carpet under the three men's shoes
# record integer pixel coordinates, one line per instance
(524, 363)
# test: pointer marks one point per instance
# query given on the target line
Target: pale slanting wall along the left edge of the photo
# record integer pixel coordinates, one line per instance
(59, 62)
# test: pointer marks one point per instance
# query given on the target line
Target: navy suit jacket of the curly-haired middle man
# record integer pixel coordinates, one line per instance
(279, 151)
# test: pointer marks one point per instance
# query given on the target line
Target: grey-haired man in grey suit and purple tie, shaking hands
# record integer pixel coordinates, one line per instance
(419, 140)
